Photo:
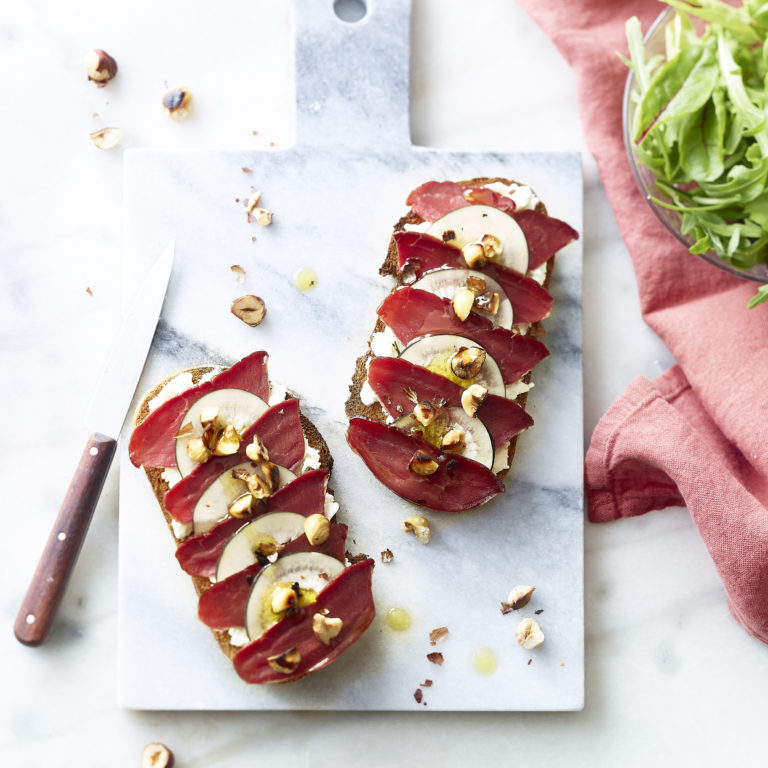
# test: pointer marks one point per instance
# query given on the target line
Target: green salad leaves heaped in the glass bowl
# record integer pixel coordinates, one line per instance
(700, 124)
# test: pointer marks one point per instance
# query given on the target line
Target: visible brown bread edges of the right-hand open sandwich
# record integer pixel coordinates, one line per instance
(354, 405)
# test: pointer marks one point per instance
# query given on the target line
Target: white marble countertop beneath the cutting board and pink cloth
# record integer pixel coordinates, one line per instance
(670, 677)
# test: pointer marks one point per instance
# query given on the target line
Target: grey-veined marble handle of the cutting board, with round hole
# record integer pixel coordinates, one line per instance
(353, 78)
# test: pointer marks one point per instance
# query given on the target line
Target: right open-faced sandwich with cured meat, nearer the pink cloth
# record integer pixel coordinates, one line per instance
(438, 399)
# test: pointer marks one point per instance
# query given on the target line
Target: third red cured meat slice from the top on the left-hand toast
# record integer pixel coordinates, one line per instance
(305, 495)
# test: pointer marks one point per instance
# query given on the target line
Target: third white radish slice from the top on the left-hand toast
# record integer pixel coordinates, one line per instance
(263, 535)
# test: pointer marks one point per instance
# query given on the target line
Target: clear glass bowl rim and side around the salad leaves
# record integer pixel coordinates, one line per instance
(654, 43)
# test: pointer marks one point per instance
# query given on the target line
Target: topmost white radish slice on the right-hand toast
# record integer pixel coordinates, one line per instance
(472, 222)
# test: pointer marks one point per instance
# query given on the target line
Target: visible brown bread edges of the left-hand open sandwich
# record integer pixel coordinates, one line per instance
(160, 485)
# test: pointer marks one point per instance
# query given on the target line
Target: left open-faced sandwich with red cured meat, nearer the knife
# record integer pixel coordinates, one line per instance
(241, 476)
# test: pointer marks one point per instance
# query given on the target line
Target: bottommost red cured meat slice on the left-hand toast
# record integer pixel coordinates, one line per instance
(348, 597)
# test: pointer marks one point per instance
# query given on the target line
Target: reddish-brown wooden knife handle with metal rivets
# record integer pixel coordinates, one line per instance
(44, 594)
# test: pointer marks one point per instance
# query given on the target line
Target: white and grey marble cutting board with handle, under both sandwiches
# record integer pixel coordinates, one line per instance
(336, 194)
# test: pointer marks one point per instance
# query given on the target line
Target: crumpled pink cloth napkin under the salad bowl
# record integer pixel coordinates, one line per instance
(696, 436)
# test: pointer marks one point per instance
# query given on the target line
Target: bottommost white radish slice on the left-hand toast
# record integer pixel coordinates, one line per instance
(312, 571)
